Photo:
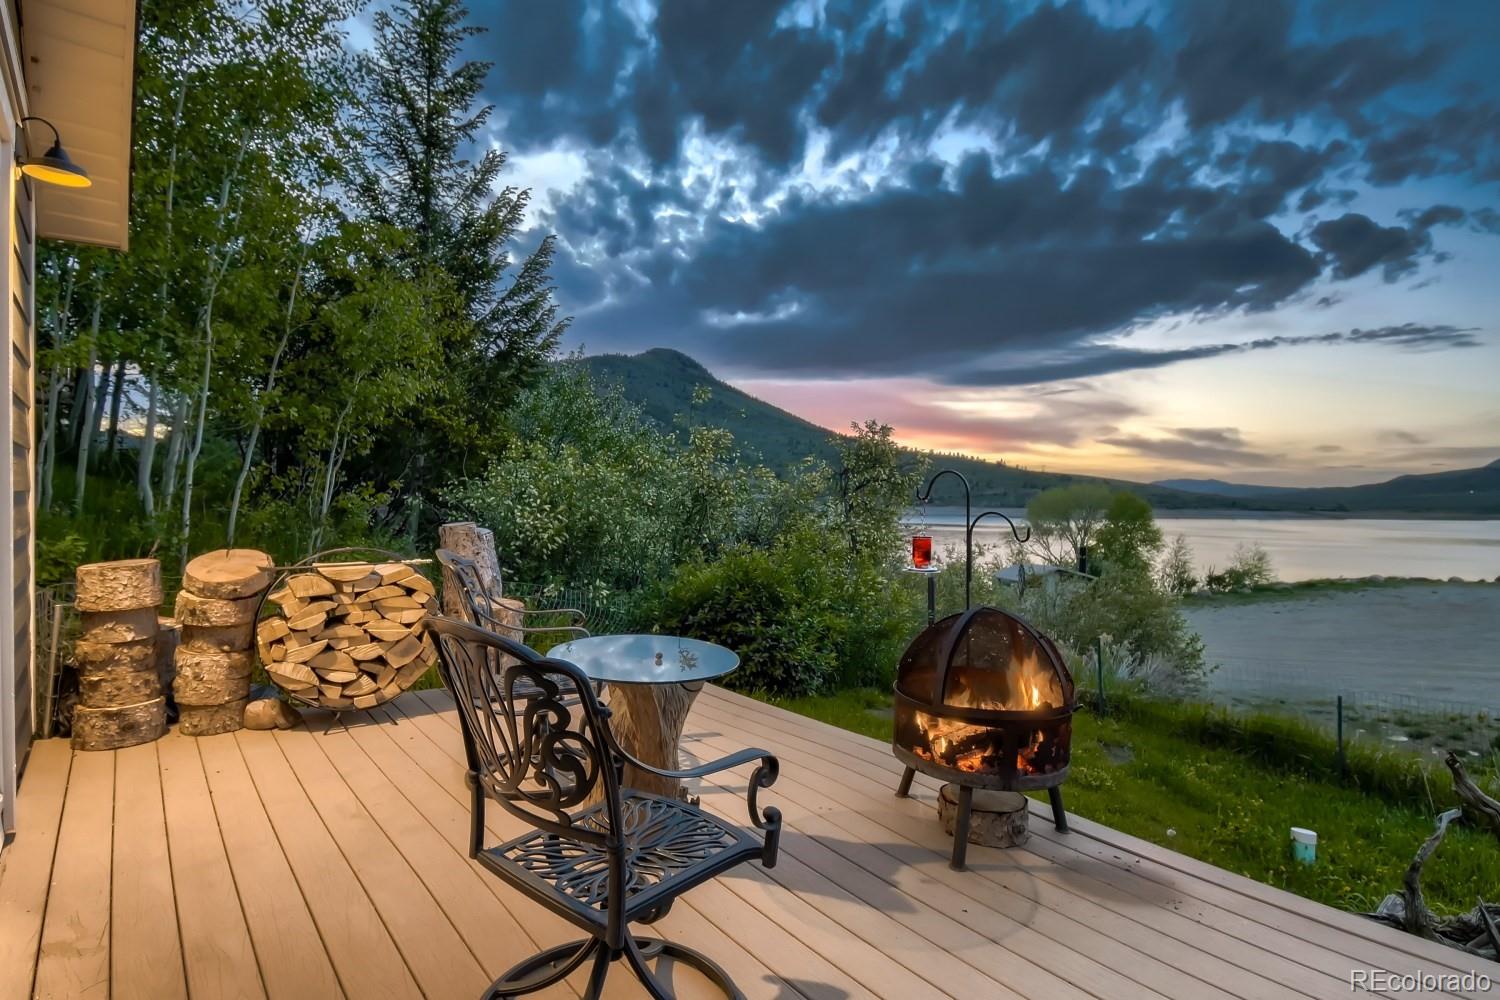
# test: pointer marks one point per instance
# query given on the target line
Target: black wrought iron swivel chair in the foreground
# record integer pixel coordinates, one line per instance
(622, 861)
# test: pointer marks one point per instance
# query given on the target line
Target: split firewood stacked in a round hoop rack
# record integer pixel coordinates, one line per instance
(350, 635)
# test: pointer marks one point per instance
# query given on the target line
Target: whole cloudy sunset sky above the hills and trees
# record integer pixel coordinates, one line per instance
(1247, 241)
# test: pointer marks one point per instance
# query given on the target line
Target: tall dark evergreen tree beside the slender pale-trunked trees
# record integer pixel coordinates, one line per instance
(419, 119)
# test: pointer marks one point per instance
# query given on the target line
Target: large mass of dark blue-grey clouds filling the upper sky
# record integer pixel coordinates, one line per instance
(1090, 211)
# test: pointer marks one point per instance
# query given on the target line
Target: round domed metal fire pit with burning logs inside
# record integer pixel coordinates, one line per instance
(985, 701)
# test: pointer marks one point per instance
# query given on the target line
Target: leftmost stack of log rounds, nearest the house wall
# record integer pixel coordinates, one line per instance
(121, 690)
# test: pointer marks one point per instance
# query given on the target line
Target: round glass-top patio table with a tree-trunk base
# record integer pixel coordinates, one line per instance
(653, 683)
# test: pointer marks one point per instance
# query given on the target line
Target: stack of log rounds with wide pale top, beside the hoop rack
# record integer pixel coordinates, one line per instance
(217, 612)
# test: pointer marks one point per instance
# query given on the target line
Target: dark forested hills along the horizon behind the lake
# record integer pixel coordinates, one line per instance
(662, 383)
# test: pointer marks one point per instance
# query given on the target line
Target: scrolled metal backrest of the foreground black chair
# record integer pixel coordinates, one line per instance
(533, 729)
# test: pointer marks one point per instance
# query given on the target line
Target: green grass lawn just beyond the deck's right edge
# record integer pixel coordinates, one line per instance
(1235, 812)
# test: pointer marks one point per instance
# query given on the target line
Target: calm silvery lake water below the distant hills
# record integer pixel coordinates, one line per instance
(1304, 548)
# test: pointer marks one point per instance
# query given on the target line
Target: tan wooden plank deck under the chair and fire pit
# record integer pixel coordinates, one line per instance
(331, 864)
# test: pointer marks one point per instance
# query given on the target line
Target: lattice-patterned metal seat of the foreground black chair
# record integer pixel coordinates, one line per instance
(671, 846)
